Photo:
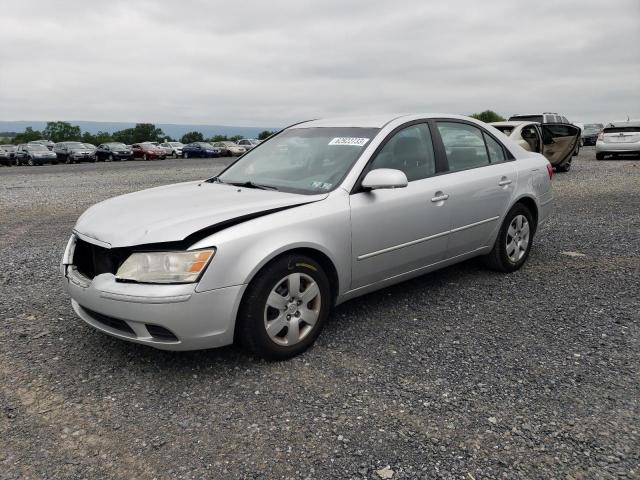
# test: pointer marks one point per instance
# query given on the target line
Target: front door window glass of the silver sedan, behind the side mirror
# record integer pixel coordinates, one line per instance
(409, 150)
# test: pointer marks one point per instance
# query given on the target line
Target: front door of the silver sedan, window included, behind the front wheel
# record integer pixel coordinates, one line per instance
(396, 231)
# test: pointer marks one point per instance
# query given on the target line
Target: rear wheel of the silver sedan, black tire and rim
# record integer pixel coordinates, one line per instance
(499, 258)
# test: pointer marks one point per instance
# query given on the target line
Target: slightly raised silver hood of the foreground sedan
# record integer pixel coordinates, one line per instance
(173, 212)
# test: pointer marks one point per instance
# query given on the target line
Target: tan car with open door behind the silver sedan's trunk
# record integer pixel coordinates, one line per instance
(556, 141)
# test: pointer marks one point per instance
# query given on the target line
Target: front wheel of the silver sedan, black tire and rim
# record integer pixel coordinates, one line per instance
(268, 306)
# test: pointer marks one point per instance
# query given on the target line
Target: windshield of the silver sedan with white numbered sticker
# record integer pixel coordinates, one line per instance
(301, 160)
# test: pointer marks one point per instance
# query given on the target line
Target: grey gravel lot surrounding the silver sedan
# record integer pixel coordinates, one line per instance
(463, 373)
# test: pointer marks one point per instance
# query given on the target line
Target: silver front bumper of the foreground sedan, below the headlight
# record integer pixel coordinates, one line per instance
(190, 320)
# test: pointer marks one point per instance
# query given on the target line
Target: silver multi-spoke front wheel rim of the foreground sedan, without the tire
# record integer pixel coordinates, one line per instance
(292, 309)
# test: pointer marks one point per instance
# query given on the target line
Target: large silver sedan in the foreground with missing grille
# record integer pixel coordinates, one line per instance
(320, 213)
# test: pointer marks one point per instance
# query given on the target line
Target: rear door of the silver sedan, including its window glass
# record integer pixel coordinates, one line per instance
(480, 184)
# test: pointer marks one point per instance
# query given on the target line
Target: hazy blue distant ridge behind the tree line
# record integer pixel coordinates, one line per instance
(173, 130)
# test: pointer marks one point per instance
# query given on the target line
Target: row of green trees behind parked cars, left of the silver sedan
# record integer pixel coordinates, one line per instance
(142, 132)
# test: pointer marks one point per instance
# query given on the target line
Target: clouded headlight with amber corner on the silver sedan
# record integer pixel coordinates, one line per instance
(165, 267)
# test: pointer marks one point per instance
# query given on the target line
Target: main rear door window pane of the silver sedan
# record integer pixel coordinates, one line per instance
(464, 145)
